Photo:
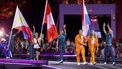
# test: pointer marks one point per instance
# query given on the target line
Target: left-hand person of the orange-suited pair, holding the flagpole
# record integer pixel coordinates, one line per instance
(80, 49)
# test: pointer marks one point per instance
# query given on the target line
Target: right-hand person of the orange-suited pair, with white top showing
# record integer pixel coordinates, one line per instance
(93, 44)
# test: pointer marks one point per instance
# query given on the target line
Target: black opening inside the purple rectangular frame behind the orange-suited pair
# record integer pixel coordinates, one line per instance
(73, 23)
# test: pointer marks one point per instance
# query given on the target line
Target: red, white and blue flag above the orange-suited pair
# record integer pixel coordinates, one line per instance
(85, 20)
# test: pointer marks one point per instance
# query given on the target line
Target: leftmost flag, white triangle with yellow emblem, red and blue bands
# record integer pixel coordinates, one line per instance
(21, 24)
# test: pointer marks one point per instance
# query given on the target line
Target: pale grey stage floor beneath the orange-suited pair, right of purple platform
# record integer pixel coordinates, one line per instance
(73, 65)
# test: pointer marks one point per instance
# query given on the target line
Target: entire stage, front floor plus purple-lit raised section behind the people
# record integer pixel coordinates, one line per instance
(51, 61)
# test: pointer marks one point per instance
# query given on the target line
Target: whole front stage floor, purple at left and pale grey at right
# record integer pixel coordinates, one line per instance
(42, 64)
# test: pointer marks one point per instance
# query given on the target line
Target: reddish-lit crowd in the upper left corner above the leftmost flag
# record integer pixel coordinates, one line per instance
(8, 6)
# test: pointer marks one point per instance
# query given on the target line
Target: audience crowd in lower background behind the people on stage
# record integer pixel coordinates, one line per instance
(21, 47)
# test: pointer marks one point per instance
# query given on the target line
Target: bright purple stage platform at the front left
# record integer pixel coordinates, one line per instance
(24, 64)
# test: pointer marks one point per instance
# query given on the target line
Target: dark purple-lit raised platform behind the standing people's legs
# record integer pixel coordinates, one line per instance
(67, 57)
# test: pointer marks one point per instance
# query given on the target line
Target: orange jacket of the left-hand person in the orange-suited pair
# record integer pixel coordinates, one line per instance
(79, 40)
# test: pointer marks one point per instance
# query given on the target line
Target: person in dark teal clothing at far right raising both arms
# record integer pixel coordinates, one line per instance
(108, 48)
